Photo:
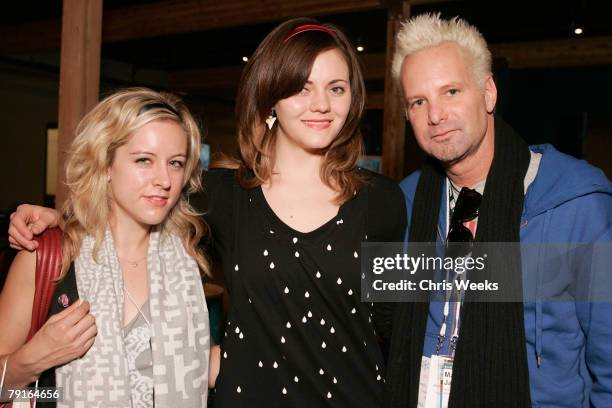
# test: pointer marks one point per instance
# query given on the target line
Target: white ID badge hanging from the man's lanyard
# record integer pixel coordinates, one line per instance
(435, 381)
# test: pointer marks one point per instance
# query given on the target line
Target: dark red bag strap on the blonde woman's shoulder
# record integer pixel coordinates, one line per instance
(48, 268)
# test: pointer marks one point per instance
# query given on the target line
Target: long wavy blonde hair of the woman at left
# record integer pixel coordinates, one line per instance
(108, 126)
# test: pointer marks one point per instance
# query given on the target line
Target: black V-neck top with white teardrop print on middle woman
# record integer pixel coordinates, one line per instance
(297, 333)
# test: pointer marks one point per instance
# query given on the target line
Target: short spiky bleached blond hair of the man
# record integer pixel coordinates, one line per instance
(430, 30)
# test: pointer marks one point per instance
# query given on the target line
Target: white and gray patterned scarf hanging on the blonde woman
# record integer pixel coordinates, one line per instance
(179, 317)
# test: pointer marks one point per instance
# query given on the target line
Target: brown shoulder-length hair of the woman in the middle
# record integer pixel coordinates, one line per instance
(278, 69)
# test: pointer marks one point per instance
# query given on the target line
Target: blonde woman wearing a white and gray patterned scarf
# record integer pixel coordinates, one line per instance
(138, 336)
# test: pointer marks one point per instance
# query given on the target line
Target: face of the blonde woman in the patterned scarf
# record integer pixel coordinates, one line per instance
(146, 177)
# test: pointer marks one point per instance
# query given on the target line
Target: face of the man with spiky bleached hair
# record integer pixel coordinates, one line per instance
(446, 107)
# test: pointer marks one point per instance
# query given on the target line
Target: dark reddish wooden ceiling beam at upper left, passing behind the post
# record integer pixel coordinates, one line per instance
(170, 17)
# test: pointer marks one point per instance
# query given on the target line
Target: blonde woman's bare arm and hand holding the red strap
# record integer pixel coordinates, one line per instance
(64, 337)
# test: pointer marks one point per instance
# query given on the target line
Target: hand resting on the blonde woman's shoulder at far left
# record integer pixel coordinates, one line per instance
(27, 221)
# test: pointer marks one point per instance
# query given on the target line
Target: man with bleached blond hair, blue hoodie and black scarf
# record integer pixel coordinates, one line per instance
(485, 184)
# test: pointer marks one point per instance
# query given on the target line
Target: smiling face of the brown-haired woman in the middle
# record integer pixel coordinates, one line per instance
(312, 118)
